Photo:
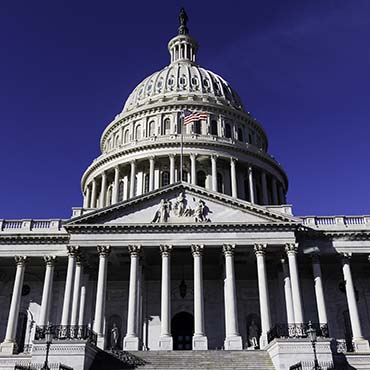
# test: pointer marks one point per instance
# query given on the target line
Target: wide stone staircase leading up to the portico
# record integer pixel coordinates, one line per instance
(181, 360)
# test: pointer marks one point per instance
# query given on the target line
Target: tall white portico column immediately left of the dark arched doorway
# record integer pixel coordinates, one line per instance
(165, 339)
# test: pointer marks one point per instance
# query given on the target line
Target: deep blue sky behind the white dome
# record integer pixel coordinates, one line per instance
(301, 67)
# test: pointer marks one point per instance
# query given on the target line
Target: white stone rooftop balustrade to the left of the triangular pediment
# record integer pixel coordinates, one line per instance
(26, 226)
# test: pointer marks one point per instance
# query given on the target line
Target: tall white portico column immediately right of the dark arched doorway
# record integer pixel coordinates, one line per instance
(200, 341)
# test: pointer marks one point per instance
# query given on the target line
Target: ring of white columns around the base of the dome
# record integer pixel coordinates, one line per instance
(277, 190)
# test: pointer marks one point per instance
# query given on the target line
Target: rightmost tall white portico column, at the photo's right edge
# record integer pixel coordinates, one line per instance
(359, 343)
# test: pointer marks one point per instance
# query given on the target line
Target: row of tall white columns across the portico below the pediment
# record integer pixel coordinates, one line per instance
(74, 297)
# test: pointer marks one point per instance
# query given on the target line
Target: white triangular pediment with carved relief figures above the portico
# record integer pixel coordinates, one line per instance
(181, 203)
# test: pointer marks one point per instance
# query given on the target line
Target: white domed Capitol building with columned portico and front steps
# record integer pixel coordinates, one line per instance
(184, 248)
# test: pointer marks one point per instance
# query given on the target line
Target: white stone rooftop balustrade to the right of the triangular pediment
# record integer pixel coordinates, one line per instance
(325, 222)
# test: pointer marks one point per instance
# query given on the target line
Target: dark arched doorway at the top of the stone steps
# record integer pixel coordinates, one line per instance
(182, 331)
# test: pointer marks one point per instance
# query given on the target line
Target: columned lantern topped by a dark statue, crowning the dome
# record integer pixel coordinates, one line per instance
(183, 47)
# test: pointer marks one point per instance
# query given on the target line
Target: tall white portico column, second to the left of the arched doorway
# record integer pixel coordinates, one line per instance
(131, 340)
